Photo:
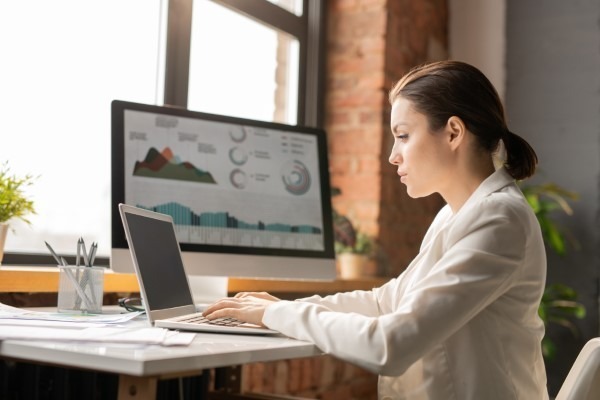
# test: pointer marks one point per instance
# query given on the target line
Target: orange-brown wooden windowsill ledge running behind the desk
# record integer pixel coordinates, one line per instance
(45, 280)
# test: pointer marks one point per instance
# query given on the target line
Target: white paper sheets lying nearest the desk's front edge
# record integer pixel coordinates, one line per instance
(158, 336)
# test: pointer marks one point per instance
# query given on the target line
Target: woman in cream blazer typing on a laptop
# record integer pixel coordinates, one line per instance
(461, 321)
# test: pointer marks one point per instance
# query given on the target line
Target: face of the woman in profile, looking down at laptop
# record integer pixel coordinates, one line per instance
(422, 156)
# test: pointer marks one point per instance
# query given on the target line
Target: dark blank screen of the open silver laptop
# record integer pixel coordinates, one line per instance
(159, 262)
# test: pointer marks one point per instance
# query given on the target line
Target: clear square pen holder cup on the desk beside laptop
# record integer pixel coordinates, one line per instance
(80, 289)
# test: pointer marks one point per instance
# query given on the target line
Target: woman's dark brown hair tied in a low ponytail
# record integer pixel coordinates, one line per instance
(444, 89)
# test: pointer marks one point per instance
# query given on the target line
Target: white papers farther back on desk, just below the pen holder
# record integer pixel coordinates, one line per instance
(8, 312)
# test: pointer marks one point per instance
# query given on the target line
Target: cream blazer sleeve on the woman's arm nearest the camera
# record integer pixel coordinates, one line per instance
(484, 254)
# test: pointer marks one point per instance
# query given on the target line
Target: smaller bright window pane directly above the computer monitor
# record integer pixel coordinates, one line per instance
(256, 75)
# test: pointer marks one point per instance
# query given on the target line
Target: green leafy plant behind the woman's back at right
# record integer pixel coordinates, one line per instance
(559, 303)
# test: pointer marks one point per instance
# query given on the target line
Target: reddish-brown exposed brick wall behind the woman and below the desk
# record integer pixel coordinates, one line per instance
(370, 44)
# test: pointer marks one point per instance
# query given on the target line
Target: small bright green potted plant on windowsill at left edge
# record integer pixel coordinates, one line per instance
(13, 201)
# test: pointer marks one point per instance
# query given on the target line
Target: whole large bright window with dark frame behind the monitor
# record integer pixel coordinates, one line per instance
(68, 60)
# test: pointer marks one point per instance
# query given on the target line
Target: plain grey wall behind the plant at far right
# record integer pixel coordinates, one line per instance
(553, 100)
